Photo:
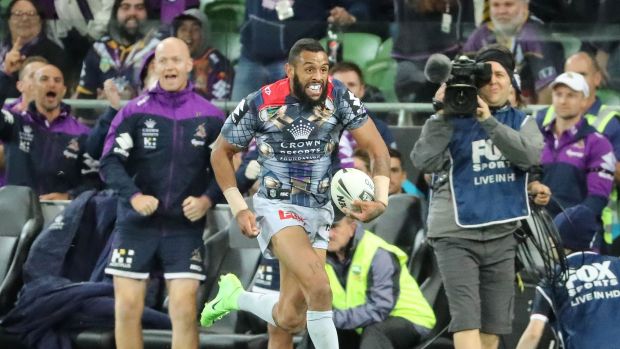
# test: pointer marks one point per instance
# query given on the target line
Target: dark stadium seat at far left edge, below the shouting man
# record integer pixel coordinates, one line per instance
(21, 222)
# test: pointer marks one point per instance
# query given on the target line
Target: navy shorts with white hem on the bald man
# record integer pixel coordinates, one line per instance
(134, 255)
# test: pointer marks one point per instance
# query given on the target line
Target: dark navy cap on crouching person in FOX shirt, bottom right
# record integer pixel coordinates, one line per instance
(578, 227)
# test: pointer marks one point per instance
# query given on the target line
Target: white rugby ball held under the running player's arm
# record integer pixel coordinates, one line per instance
(348, 185)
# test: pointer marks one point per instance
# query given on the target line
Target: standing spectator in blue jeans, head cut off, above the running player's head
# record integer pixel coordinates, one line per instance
(266, 39)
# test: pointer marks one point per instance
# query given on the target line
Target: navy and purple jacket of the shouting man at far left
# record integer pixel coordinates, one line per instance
(47, 157)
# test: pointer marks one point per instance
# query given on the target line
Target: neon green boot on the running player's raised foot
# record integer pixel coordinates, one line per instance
(224, 302)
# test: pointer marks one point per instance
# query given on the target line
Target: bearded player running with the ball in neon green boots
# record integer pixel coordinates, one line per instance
(297, 122)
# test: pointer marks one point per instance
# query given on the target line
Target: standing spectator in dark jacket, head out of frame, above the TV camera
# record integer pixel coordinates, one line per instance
(426, 27)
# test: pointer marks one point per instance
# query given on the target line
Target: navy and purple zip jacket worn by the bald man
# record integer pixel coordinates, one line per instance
(158, 145)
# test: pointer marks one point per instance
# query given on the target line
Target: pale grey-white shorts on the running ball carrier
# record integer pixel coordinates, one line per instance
(273, 216)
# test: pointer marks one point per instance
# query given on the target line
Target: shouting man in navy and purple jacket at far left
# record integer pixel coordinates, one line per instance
(45, 143)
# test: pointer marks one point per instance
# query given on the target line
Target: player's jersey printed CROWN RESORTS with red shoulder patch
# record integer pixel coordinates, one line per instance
(295, 141)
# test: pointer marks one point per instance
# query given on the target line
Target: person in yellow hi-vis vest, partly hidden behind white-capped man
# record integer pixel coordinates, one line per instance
(605, 120)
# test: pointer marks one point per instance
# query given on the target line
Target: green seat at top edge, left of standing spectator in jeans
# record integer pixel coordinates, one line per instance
(225, 15)
